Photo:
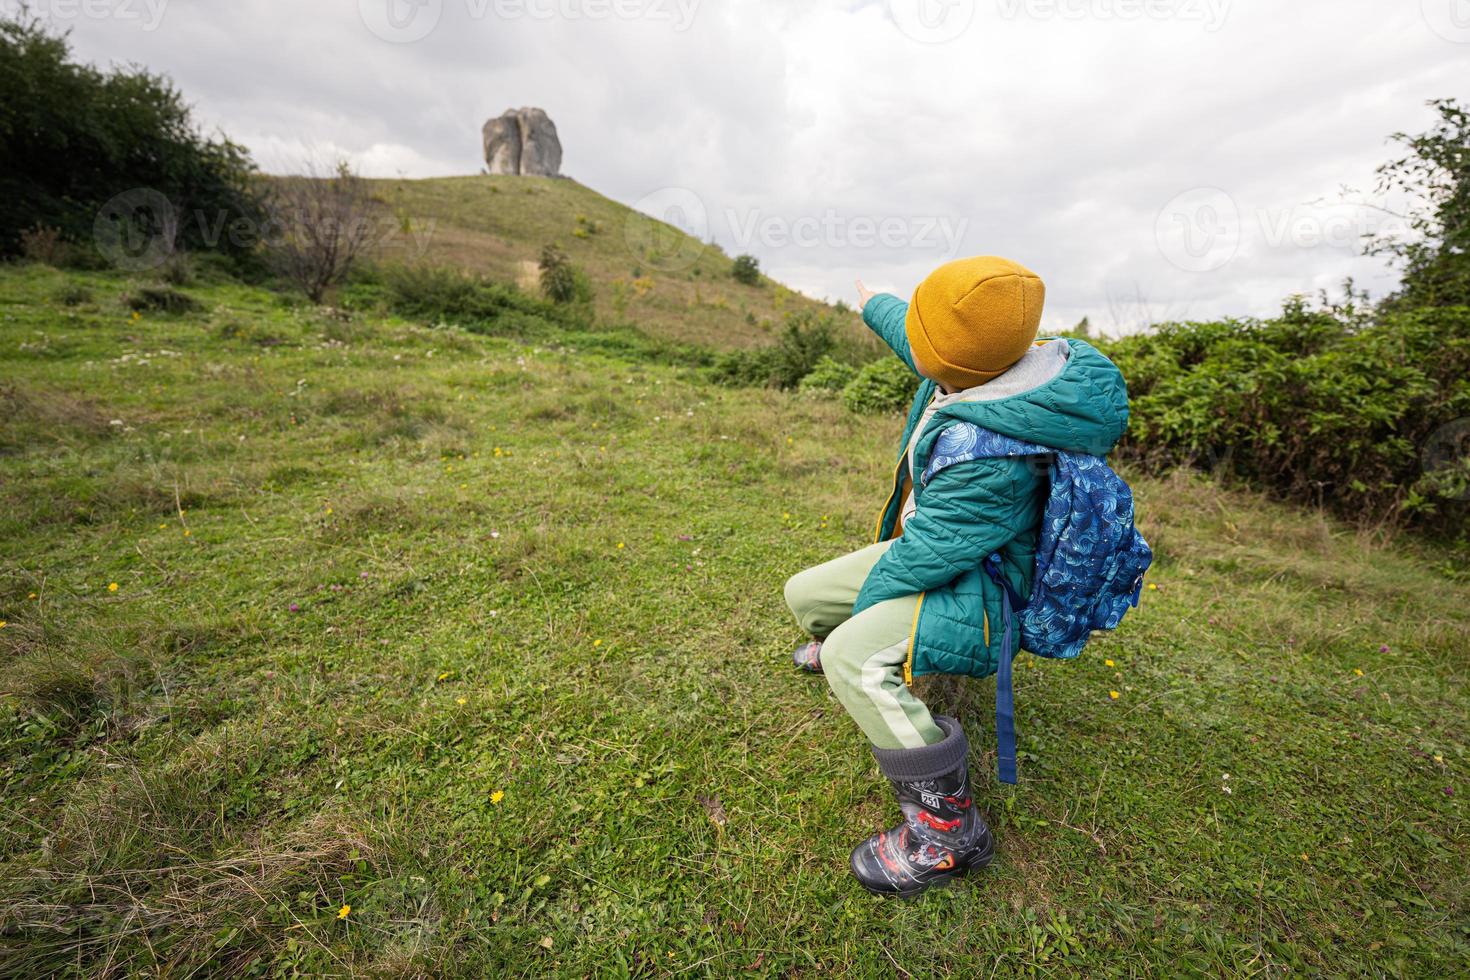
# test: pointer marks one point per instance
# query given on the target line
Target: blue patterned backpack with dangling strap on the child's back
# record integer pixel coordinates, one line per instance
(1090, 561)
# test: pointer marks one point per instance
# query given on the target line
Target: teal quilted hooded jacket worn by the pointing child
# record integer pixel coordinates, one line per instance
(980, 508)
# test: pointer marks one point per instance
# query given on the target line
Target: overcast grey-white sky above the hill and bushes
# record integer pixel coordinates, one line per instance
(1149, 158)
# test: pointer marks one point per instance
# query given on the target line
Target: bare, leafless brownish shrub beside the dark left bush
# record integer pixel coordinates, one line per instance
(320, 227)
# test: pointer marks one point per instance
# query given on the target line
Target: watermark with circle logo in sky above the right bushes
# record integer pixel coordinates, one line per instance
(1202, 230)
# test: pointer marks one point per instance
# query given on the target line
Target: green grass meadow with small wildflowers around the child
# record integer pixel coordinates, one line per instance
(371, 575)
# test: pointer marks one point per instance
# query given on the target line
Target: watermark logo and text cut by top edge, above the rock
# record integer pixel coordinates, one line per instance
(408, 21)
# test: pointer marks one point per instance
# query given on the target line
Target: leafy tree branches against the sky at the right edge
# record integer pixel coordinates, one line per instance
(1435, 174)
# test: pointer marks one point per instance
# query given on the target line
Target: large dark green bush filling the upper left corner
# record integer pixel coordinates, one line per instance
(74, 139)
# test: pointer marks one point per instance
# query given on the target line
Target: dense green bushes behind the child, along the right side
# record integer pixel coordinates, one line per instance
(1312, 406)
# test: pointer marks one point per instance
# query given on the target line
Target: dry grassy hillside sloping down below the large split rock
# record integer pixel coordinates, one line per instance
(673, 286)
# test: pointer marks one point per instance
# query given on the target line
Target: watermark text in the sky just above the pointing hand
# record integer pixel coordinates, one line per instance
(833, 230)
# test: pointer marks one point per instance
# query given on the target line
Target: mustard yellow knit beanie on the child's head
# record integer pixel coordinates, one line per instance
(971, 320)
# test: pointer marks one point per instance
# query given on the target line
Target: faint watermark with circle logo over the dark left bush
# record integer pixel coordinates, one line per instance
(142, 230)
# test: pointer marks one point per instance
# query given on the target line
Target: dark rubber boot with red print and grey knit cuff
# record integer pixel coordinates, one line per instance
(943, 835)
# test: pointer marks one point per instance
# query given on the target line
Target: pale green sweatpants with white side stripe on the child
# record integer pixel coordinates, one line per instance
(864, 656)
